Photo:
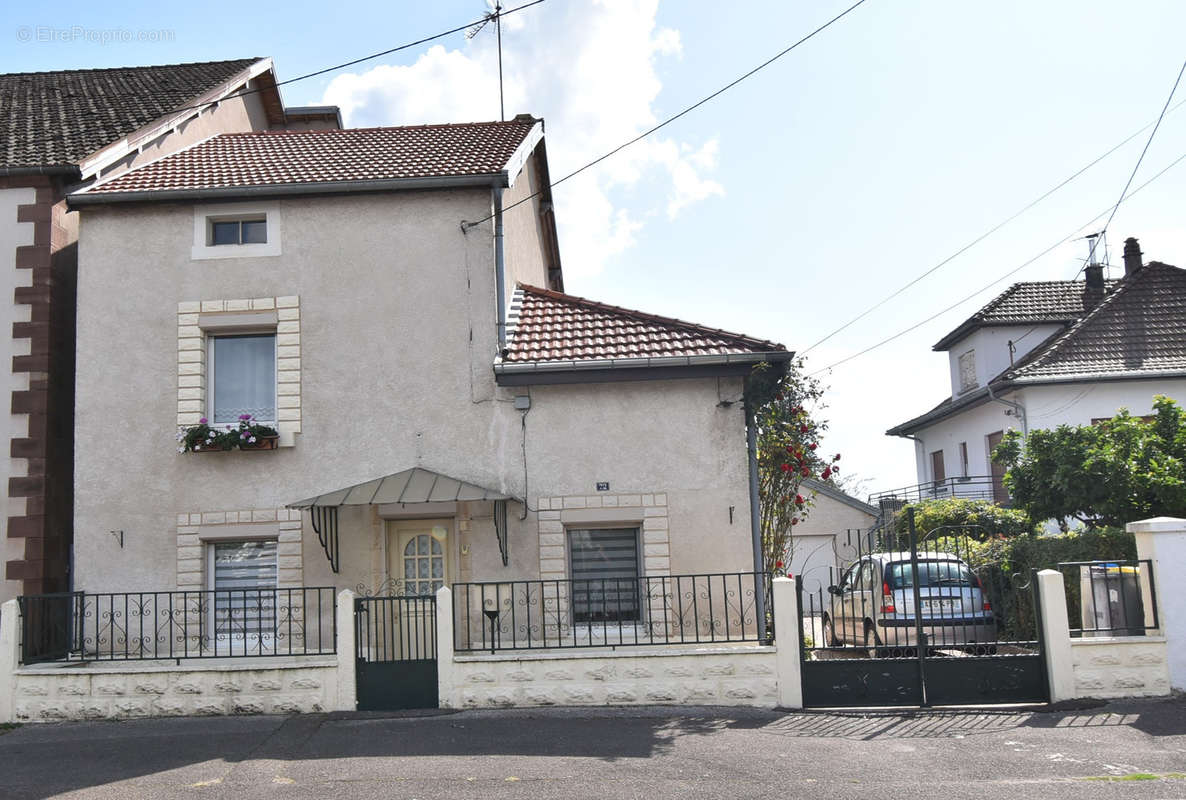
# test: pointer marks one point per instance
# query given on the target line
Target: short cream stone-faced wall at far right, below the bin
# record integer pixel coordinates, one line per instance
(1136, 667)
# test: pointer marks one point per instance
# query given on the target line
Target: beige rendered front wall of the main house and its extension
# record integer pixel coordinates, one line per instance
(397, 345)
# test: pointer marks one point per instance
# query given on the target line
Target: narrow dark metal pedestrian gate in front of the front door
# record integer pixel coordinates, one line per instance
(396, 649)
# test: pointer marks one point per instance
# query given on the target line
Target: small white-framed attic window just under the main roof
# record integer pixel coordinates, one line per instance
(237, 231)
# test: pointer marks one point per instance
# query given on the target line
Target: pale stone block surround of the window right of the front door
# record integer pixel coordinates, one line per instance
(649, 513)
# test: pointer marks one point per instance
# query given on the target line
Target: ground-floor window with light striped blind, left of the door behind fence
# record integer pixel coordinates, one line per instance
(244, 577)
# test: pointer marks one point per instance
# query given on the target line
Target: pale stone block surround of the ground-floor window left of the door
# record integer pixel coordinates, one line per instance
(195, 530)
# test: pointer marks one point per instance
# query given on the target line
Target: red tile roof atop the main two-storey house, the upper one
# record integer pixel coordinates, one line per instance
(277, 158)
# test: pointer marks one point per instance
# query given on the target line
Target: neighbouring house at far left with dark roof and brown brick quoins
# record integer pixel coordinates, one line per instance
(65, 130)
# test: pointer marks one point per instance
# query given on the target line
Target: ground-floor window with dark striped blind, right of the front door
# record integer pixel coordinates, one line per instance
(605, 575)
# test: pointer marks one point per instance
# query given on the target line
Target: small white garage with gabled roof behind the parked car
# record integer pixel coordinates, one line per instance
(828, 539)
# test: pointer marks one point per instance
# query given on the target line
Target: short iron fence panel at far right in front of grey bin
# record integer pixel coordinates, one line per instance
(1111, 598)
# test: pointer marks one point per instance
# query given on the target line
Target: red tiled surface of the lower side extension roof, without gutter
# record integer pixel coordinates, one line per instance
(551, 327)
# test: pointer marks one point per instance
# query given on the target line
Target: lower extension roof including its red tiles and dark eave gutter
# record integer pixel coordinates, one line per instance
(554, 332)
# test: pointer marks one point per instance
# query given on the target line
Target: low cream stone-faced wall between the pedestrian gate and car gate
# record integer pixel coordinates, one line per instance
(718, 676)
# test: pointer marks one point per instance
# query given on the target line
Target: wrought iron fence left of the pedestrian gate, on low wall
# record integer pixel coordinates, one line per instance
(178, 625)
